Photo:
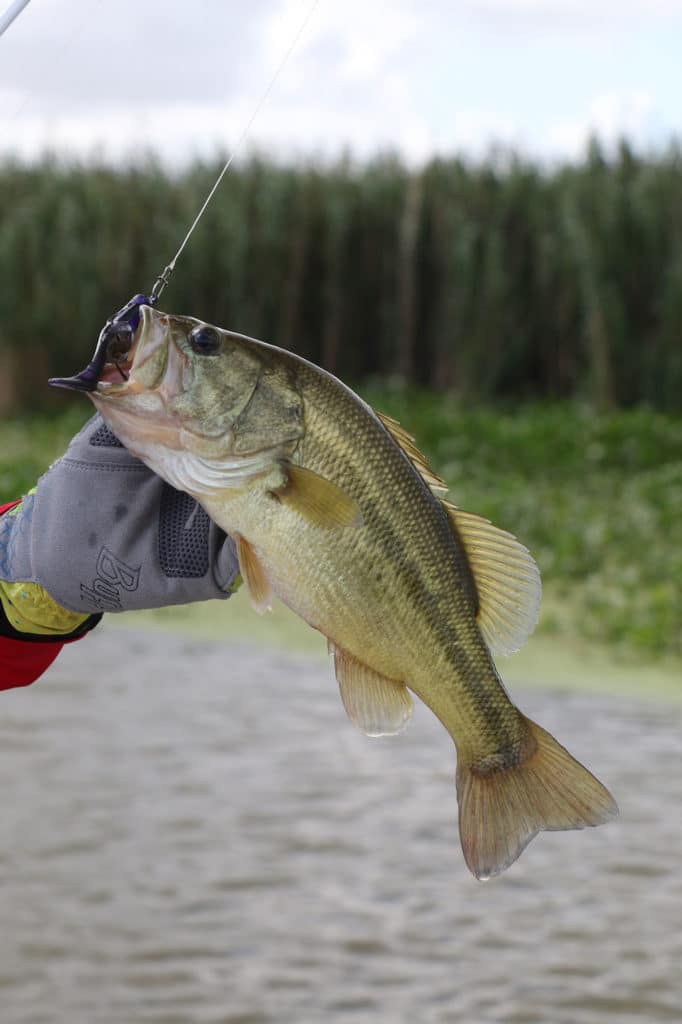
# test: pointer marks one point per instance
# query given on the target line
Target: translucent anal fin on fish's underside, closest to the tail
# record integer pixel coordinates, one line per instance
(379, 707)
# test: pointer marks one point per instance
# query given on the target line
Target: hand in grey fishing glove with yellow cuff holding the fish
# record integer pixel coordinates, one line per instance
(102, 533)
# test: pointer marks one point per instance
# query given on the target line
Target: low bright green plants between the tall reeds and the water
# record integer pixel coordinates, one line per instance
(596, 497)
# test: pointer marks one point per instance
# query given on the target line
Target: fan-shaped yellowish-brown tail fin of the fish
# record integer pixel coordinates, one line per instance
(502, 810)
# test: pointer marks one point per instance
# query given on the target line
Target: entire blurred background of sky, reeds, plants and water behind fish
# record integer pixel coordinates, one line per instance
(473, 214)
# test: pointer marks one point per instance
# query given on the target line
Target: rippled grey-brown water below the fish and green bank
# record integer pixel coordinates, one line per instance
(194, 833)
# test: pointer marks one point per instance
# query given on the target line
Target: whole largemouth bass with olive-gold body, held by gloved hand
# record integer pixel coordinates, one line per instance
(336, 513)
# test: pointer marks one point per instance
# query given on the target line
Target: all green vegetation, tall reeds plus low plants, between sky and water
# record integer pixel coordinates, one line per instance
(524, 323)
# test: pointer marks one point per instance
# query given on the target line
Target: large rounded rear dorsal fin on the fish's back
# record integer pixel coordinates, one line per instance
(507, 581)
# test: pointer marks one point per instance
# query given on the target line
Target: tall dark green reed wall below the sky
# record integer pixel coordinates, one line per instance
(499, 281)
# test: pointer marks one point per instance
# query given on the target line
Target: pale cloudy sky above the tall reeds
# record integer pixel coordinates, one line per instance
(418, 76)
